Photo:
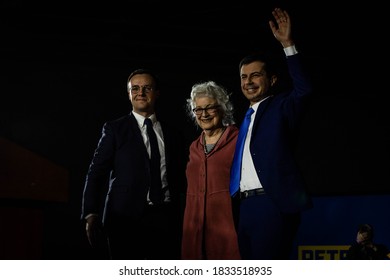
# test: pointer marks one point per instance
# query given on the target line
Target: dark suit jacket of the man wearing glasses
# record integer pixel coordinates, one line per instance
(120, 162)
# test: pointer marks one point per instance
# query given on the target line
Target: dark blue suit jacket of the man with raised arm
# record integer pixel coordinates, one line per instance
(271, 146)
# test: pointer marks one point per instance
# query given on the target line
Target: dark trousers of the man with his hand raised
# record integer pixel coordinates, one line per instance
(264, 233)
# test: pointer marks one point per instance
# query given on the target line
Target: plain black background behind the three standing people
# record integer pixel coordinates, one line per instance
(64, 67)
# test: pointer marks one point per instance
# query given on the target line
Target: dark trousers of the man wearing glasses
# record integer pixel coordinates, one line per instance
(154, 236)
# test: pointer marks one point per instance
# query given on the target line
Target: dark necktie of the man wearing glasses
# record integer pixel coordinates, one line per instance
(155, 192)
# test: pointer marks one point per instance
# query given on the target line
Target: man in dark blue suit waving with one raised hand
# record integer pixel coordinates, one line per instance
(271, 191)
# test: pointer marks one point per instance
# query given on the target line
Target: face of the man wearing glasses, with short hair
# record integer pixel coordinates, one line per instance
(143, 94)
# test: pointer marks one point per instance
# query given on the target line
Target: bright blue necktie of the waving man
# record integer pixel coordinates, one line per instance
(235, 172)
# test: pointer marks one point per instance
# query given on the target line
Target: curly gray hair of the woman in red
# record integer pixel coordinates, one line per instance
(212, 90)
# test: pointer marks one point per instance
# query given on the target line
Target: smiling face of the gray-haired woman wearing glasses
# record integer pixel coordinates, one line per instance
(210, 118)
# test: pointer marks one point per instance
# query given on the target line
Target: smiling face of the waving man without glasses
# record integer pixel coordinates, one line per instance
(255, 82)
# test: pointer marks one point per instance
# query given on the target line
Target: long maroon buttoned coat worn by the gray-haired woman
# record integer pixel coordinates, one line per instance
(208, 212)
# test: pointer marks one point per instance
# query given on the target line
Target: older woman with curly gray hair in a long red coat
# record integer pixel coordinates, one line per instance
(208, 227)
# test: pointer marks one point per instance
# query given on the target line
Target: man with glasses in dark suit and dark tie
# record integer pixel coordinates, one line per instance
(136, 227)
